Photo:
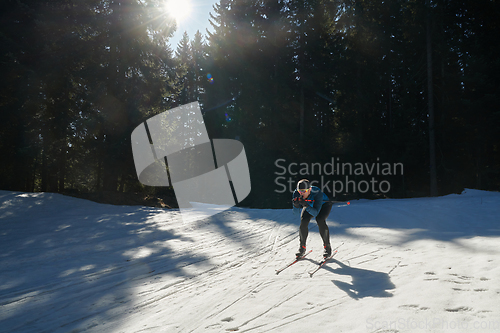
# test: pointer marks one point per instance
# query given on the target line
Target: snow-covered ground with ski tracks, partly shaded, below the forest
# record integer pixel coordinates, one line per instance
(406, 265)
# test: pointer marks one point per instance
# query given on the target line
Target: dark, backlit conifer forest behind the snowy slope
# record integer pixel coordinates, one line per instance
(409, 87)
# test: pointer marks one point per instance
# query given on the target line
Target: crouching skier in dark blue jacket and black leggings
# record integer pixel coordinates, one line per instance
(311, 201)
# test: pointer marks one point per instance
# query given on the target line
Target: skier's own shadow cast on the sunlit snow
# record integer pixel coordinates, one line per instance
(365, 283)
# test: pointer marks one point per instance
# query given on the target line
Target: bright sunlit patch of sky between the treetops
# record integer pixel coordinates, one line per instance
(197, 20)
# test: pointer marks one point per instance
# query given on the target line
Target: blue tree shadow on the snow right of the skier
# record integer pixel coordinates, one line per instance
(446, 218)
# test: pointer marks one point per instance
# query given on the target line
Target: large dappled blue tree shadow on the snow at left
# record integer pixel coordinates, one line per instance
(69, 263)
